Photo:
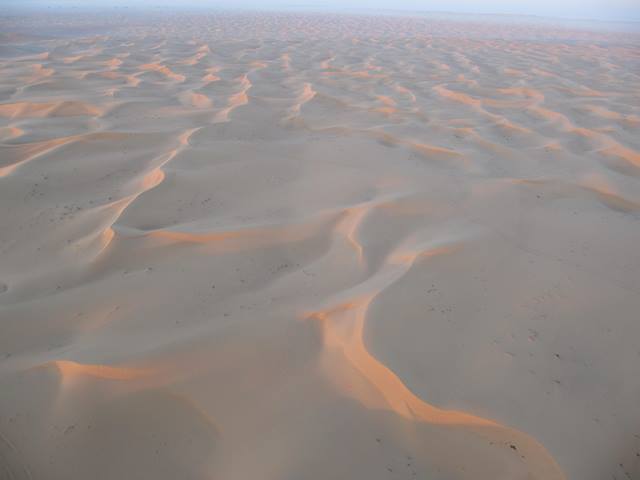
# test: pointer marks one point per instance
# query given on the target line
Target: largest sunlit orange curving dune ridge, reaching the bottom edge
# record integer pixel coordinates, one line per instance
(342, 325)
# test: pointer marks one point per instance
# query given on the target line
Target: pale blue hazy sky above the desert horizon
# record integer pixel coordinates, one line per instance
(594, 9)
